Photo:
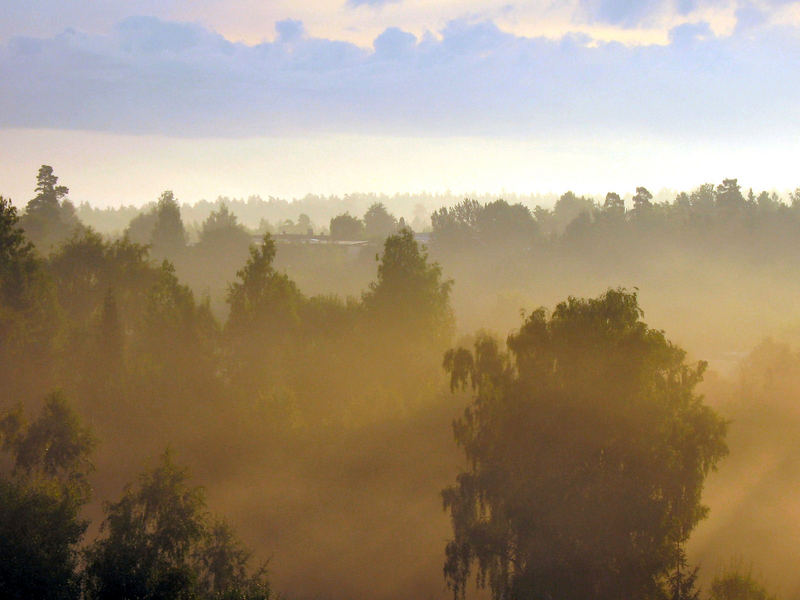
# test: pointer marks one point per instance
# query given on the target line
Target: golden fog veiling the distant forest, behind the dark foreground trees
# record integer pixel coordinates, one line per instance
(298, 374)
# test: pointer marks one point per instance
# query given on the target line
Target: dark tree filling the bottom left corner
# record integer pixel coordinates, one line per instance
(41, 494)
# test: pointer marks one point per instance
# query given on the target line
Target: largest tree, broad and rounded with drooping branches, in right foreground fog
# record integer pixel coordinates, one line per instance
(587, 450)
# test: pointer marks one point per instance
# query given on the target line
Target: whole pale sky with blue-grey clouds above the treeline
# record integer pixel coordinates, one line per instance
(128, 98)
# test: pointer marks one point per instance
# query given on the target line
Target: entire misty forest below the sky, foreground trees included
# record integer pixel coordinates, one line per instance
(378, 407)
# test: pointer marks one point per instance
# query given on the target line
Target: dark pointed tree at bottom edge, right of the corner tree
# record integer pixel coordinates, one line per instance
(159, 543)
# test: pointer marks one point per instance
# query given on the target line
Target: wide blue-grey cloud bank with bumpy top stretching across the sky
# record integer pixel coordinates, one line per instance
(471, 78)
